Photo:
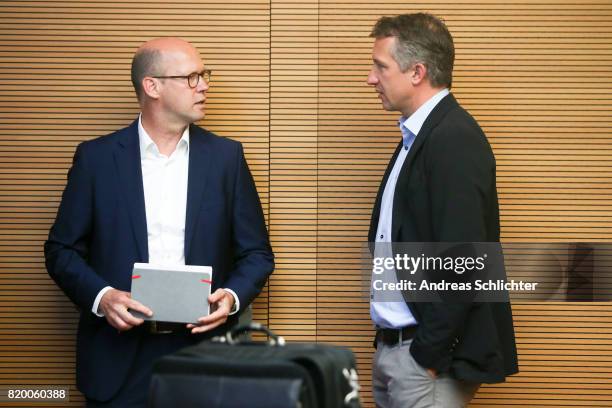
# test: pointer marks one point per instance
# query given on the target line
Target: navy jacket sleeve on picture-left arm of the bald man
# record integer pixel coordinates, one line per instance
(66, 249)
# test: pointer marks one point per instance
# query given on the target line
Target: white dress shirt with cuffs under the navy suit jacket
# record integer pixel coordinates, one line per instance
(164, 180)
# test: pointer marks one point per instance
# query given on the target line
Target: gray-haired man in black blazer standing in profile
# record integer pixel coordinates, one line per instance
(439, 187)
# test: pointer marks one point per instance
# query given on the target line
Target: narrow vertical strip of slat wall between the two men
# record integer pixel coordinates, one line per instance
(293, 167)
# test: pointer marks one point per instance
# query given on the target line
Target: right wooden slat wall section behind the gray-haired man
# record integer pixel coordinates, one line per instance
(537, 77)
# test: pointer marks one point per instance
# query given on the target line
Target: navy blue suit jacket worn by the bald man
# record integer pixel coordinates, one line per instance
(101, 231)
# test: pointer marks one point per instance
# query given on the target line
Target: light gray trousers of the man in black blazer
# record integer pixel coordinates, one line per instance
(398, 381)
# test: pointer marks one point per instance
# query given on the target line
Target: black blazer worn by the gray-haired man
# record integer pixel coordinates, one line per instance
(446, 192)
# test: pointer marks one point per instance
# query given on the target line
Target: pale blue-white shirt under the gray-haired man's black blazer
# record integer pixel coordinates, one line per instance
(394, 312)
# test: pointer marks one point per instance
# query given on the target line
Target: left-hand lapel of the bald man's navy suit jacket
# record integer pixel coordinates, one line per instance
(127, 160)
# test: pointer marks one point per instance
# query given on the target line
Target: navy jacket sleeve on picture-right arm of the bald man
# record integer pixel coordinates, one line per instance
(253, 257)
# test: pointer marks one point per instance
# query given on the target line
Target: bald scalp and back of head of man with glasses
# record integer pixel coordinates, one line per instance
(153, 58)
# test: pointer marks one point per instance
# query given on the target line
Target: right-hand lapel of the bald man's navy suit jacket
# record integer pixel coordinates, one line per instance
(199, 172)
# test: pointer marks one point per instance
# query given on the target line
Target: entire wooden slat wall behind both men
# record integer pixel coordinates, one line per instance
(289, 82)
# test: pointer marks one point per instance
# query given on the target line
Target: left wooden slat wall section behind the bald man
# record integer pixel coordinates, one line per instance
(64, 78)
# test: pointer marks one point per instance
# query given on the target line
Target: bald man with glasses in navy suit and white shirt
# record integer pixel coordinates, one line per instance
(162, 191)
